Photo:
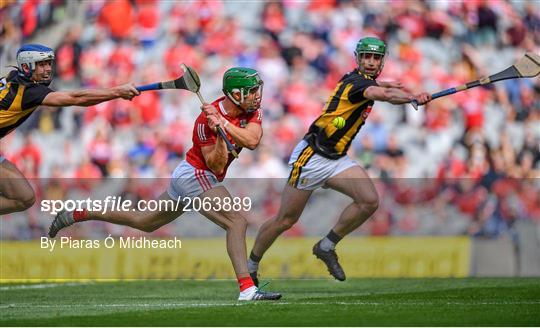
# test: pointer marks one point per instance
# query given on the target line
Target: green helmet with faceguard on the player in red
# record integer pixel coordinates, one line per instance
(248, 83)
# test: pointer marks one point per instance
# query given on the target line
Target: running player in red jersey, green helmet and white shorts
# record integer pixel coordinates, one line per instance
(200, 175)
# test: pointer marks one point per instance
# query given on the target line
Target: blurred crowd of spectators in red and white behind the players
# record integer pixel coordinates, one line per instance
(463, 164)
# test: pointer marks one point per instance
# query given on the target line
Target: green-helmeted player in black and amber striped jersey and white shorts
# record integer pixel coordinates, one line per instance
(320, 159)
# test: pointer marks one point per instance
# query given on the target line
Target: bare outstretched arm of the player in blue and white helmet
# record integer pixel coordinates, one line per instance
(89, 97)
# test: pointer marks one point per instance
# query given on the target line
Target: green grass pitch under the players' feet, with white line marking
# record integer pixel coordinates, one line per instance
(362, 302)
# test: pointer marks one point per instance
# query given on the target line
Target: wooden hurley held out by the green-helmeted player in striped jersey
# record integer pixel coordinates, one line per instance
(528, 66)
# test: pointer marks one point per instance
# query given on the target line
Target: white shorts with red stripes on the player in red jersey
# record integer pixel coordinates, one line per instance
(188, 181)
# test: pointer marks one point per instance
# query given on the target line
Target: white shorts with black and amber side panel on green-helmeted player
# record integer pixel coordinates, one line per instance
(309, 170)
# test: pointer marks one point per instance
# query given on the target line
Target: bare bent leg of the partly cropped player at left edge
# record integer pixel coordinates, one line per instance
(16, 194)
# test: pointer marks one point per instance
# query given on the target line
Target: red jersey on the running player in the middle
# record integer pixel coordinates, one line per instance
(204, 136)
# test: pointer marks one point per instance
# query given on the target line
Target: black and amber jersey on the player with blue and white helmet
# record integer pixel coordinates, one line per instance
(19, 98)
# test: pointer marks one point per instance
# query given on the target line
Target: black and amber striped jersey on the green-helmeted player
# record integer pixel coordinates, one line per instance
(347, 101)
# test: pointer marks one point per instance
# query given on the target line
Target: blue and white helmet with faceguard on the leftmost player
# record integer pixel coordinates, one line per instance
(30, 54)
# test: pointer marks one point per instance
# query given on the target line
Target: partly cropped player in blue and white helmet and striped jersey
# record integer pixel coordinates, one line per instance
(21, 93)
